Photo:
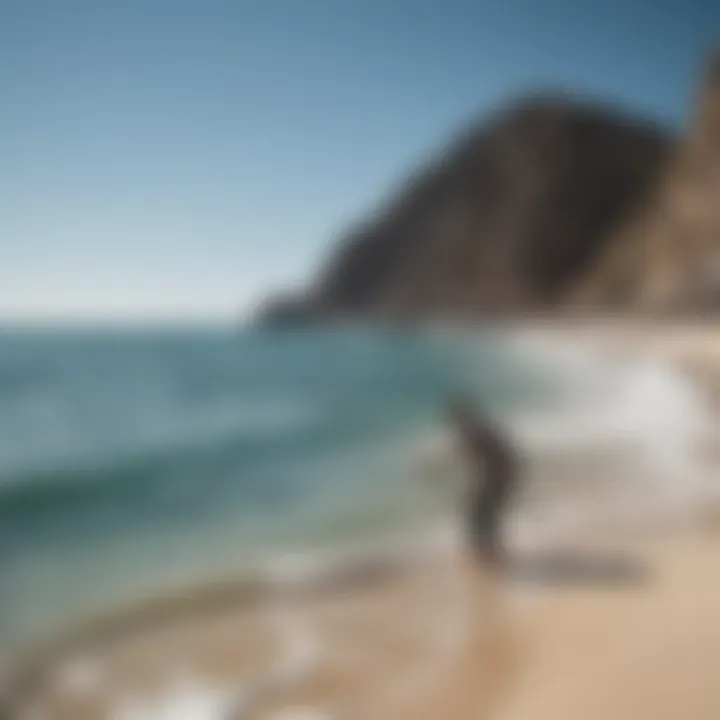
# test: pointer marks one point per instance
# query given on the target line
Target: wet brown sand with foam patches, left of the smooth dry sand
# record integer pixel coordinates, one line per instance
(369, 646)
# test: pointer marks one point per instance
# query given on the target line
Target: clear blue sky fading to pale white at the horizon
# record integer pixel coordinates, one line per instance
(181, 159)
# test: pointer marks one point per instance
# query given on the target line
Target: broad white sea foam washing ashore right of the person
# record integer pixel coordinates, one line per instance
(623, 437)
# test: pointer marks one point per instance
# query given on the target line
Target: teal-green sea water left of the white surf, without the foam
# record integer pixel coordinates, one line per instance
(132, 462)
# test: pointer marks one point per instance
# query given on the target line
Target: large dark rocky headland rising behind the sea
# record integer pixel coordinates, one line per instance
(508, 218)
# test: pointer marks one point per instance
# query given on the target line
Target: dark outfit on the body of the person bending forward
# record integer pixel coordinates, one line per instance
(494, 468)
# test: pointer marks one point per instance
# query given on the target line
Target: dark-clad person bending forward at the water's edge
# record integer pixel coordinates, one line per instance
(493, 469)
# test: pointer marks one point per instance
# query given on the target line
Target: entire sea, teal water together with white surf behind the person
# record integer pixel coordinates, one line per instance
(136, 462)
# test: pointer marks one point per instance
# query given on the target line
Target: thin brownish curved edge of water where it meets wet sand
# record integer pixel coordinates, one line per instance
(305, 575)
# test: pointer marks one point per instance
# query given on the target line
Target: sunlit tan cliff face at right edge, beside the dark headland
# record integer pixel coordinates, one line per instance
(667, 258)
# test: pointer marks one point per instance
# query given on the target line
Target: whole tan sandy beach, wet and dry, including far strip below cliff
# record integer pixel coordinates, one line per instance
(432, 639)
